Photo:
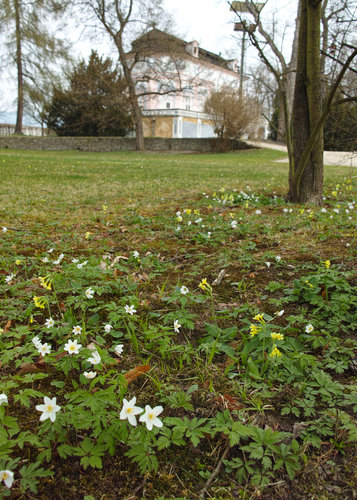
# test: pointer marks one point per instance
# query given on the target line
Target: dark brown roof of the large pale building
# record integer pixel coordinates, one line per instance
(159, 42)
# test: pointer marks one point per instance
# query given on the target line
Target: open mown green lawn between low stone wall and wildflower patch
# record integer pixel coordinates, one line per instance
(35, 183)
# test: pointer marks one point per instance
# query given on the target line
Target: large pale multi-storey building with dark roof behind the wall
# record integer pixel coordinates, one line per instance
(175, 78)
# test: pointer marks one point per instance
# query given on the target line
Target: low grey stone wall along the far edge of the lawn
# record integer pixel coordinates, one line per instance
(103, 144)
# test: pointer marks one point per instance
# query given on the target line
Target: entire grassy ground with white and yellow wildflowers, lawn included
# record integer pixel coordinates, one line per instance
(172, 328)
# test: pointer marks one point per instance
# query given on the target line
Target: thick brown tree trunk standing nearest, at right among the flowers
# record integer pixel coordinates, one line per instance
(306, 167)
